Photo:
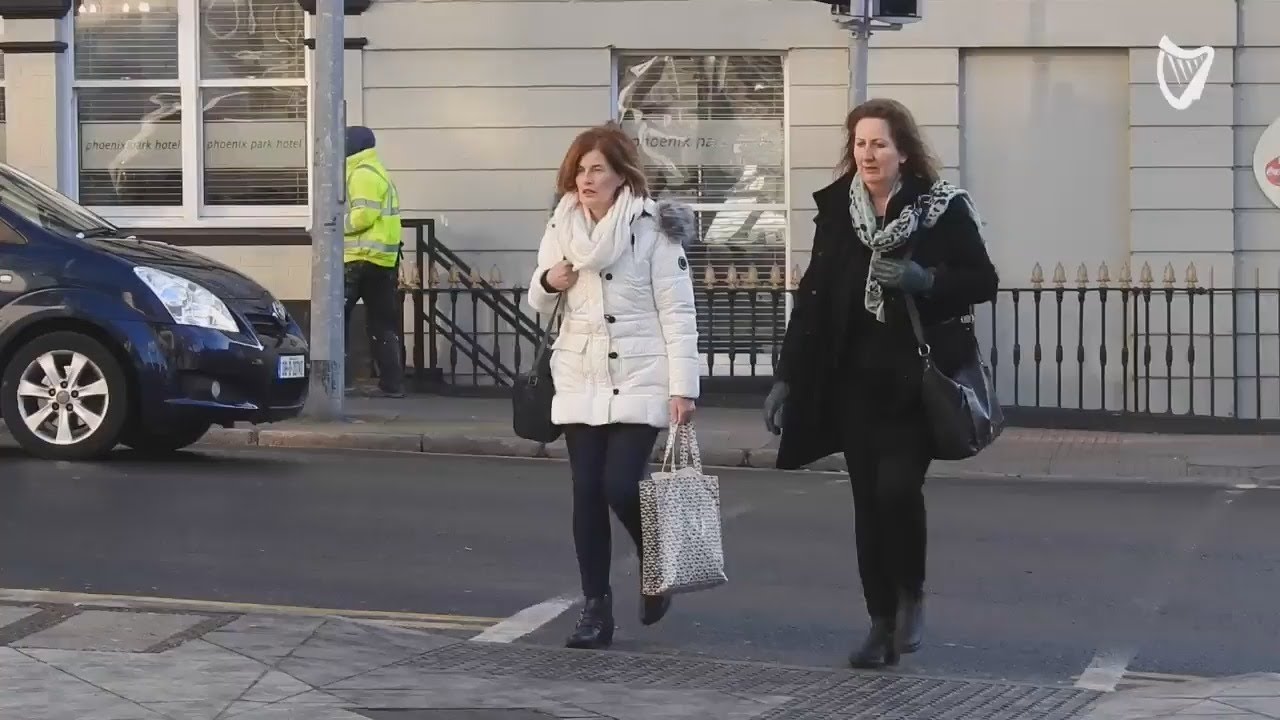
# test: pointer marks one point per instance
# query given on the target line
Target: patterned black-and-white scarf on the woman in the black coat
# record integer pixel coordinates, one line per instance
(925, 212)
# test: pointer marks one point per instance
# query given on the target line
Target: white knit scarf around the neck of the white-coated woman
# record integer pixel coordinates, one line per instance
(596, 249)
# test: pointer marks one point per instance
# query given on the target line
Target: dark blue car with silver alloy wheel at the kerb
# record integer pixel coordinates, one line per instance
(111, 340)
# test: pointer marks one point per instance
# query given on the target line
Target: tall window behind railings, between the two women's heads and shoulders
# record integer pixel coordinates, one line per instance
(711, 133)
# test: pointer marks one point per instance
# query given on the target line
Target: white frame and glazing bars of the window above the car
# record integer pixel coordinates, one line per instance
(194, 212)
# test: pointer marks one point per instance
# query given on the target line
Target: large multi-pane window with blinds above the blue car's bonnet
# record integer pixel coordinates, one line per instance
(193, 108)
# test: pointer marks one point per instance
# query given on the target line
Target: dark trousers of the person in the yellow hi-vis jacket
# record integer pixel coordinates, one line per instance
(377, 288)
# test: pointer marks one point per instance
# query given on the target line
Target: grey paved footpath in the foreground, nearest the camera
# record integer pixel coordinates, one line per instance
(77, 663)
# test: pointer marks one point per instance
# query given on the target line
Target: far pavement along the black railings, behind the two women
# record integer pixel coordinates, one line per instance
(737, 439)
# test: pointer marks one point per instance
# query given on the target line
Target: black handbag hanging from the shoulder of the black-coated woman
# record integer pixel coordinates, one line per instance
(962, 407)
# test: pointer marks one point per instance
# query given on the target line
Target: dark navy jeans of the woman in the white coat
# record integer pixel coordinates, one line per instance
(609, 463)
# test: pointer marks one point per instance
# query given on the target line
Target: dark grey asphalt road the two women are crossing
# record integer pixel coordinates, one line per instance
(1027, 581)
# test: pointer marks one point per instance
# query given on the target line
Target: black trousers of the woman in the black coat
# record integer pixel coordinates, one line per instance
(888, 453)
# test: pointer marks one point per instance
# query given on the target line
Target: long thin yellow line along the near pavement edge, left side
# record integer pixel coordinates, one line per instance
(143, 603)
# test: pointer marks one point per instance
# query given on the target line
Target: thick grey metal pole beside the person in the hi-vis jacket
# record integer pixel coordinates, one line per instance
(328, 217)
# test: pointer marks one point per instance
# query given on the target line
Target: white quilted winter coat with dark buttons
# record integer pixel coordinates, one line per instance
(629, 341)
